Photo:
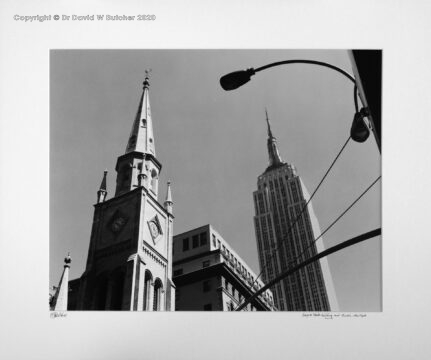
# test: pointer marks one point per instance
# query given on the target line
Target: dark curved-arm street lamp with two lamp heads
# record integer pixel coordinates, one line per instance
(360, 129)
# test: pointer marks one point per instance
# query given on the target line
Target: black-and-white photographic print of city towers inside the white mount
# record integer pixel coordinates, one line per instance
(204, 180)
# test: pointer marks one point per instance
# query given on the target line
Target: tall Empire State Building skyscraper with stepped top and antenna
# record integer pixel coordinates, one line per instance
(279, 200)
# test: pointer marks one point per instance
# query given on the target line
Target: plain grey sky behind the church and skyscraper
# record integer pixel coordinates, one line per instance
(212, 146)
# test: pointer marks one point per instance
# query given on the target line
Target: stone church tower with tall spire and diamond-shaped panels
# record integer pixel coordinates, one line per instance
(129, 264)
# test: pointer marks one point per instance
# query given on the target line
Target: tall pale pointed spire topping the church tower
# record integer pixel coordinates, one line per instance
(141, 137)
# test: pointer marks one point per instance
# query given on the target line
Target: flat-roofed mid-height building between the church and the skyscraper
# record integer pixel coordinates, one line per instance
(210, 276)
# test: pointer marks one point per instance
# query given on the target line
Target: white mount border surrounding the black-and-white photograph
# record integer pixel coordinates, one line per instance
(401, 28)
